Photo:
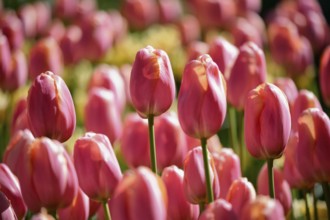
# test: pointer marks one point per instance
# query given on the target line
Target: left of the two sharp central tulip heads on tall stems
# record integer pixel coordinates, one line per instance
(152, 85)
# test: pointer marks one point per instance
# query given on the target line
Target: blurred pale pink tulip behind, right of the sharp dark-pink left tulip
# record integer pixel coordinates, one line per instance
(102, 114)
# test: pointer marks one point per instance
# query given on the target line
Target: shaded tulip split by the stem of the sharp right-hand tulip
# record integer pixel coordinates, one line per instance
(282, 188)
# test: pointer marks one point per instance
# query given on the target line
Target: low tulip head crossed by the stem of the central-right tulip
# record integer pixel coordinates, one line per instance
(194, 177)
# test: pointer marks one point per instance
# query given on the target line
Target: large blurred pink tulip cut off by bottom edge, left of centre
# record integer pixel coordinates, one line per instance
(140, 195)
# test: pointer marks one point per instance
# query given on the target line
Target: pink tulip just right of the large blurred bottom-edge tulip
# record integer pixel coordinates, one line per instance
(179, 207)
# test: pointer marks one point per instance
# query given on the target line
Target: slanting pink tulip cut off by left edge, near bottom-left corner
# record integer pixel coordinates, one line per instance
(10, 187)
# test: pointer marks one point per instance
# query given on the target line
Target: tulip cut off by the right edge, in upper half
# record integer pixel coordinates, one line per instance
(325, 76)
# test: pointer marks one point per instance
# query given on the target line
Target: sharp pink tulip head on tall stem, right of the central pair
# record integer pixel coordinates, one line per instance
(267, 122)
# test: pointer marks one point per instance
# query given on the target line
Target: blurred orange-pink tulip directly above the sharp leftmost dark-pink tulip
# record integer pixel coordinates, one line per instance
(44, 56)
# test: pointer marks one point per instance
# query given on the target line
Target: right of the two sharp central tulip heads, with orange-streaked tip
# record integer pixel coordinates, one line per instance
(202, 98)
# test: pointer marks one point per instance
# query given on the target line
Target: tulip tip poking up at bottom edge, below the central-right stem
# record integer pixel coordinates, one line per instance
(219, 209)
